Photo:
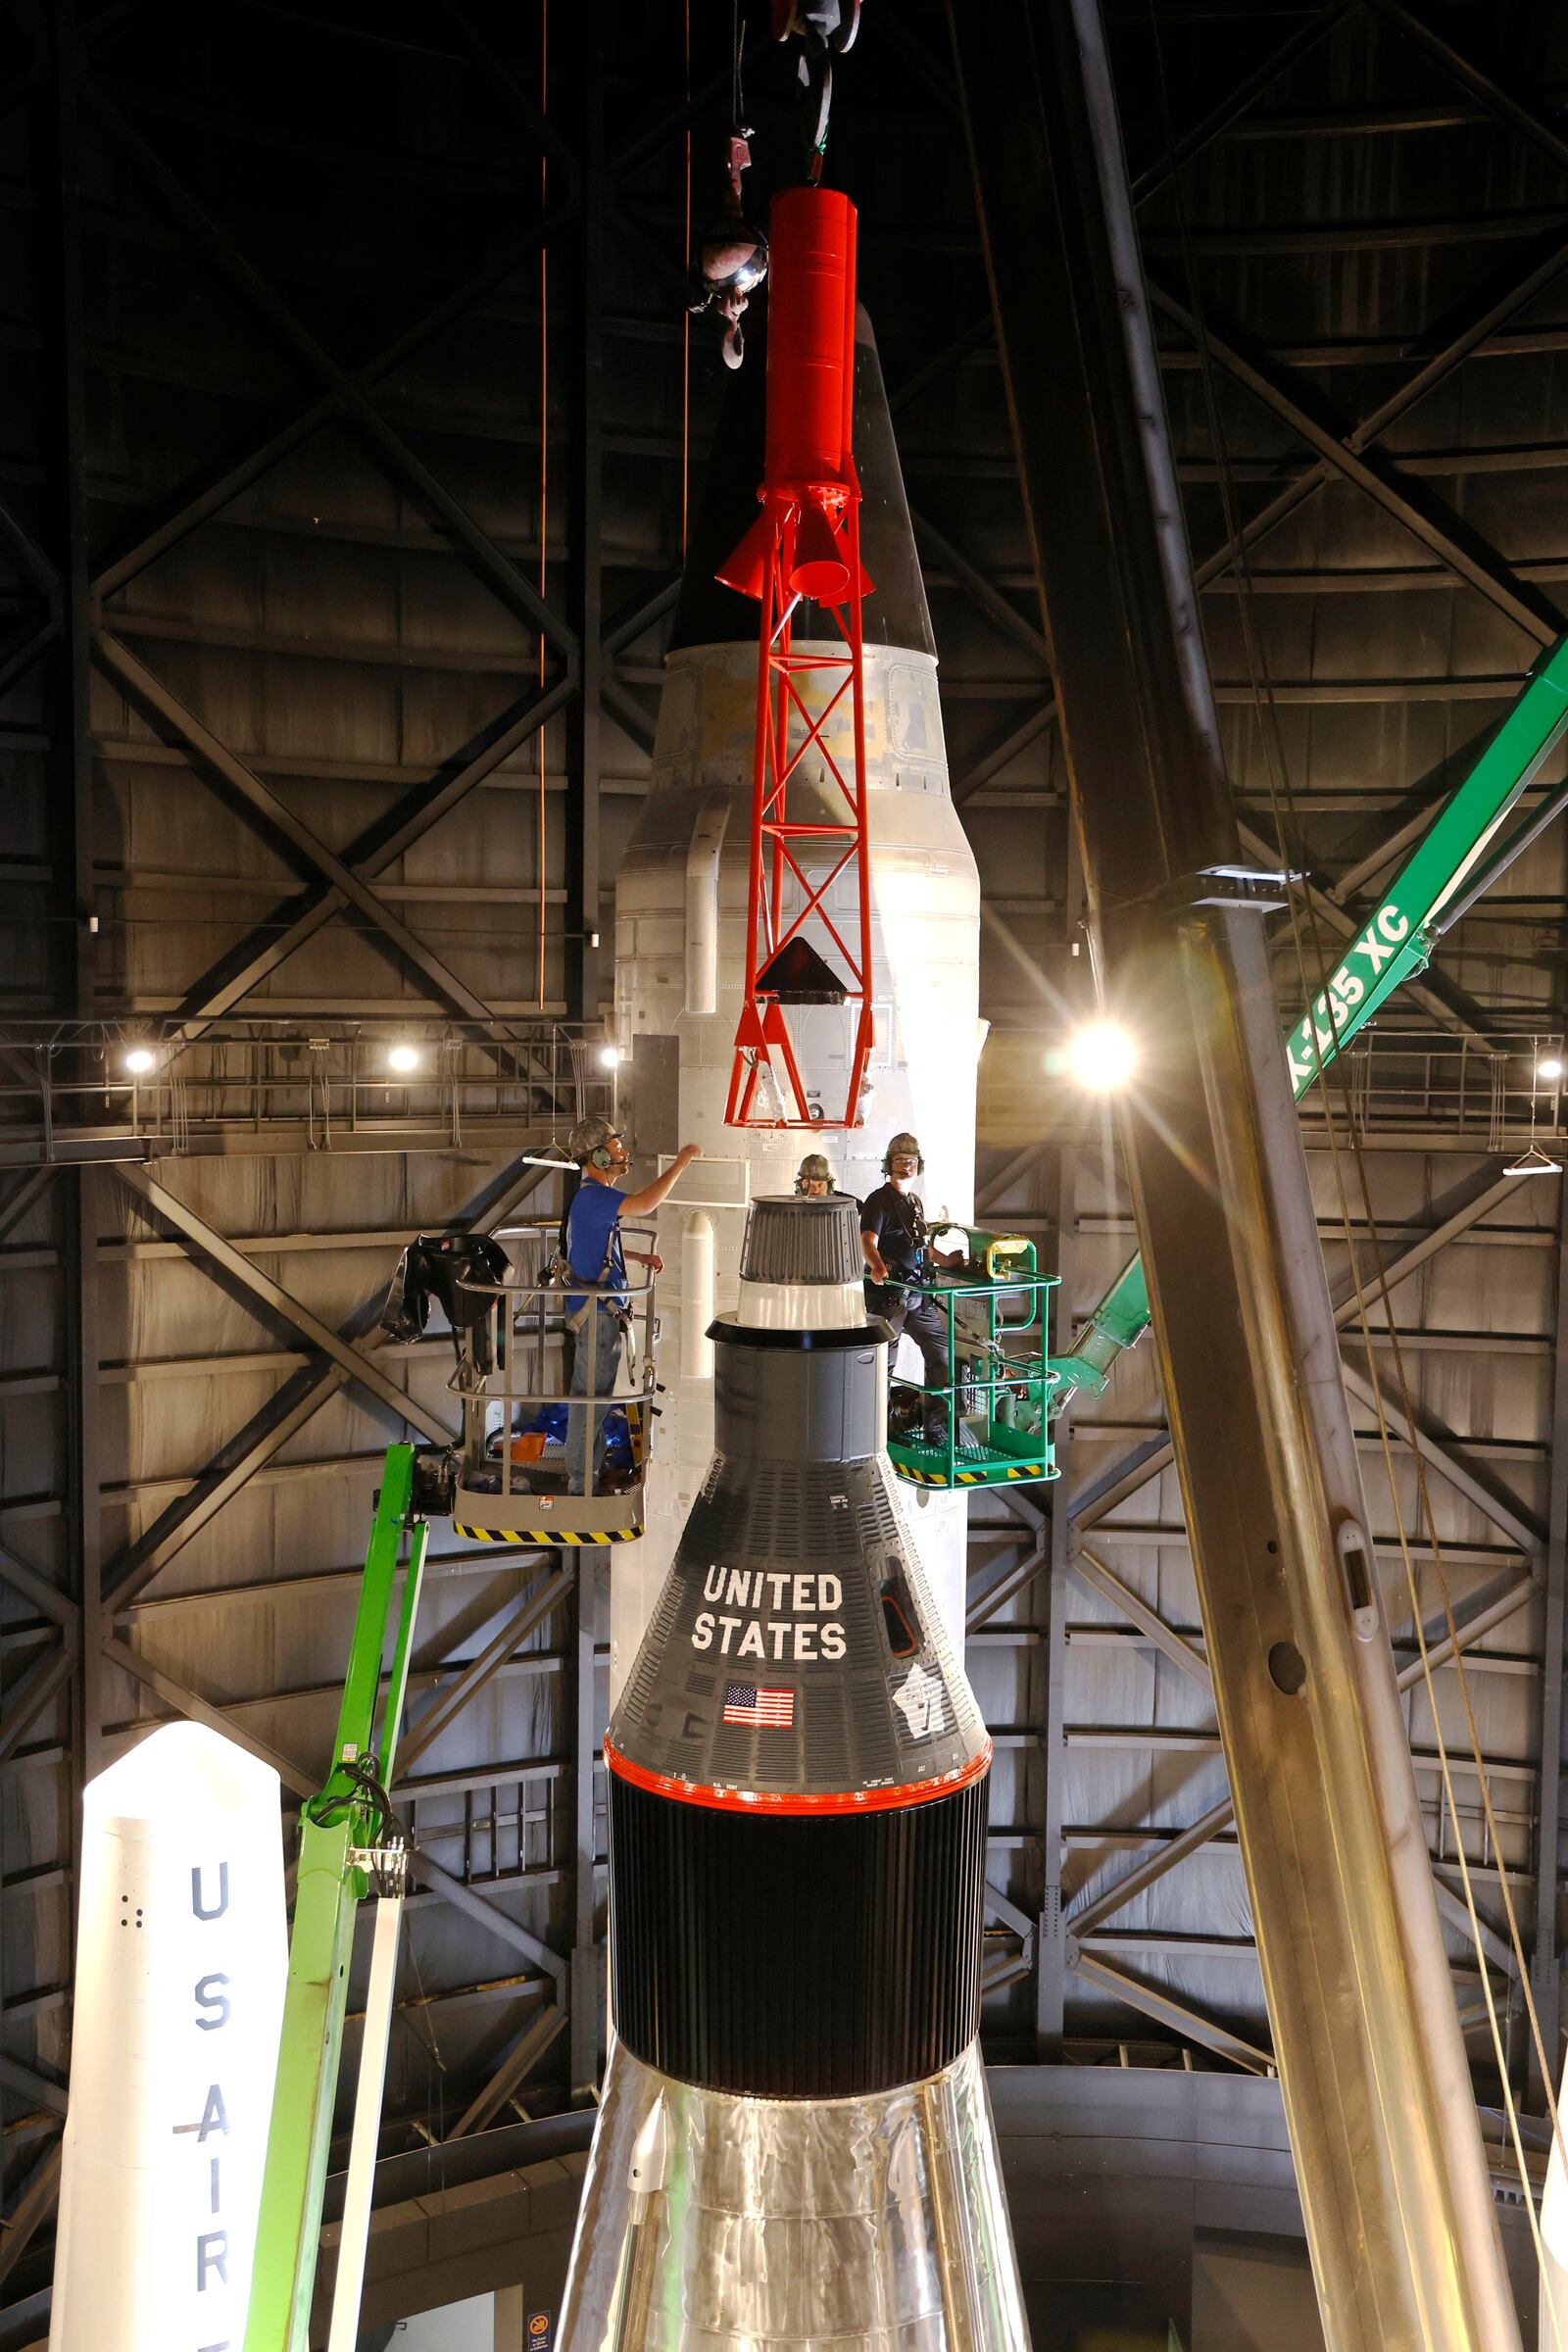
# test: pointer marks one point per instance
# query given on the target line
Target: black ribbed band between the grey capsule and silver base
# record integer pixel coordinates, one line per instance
(798, 1958)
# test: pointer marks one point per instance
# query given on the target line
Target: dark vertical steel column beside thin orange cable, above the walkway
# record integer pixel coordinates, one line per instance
(587, 956)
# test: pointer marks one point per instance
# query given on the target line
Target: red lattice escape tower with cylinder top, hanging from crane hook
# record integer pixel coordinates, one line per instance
(810, 820)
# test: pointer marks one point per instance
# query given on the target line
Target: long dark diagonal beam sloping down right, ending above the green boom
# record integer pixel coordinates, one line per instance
(1414, 507)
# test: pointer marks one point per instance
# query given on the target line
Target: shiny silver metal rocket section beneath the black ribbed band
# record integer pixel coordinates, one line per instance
(873, 2224)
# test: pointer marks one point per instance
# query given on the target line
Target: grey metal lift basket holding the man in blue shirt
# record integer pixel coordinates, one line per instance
(514, 1377)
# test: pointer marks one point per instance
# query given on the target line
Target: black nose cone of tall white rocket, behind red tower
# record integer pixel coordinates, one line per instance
(897, 613)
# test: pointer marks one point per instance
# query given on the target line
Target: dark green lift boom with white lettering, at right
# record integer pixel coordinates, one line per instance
(1388, 951)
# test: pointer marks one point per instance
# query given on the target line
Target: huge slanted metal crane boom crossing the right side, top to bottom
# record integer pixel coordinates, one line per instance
(1374, 2073)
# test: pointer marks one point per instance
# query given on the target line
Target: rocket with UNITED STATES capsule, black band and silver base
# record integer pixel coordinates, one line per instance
(796, 2139)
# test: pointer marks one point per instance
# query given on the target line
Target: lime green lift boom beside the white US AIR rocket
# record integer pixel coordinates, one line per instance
(347, 1822)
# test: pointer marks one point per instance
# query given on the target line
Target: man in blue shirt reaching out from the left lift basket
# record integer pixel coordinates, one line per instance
(596, 1255)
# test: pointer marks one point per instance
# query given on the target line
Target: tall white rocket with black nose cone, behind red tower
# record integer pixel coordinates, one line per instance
(683, 940)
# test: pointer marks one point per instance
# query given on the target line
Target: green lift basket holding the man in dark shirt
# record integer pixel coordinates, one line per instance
(996, 1405)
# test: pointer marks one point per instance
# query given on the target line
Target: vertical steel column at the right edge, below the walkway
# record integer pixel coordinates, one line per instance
(1546, 1960)
